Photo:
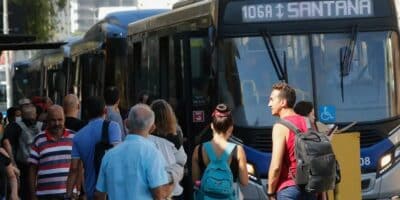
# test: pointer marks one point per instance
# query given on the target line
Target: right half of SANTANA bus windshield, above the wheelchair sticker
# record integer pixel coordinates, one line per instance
(361, 91)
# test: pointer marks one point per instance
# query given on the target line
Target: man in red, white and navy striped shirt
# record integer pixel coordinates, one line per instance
(50, 158)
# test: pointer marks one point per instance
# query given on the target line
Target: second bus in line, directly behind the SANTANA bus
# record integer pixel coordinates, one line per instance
(99, 58)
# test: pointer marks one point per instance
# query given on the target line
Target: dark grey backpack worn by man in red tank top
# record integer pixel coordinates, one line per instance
(317, 169)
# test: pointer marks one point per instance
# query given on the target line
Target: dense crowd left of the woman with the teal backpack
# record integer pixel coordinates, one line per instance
(51, 154)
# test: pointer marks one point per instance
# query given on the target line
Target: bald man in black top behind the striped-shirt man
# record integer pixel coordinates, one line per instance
(71, 110)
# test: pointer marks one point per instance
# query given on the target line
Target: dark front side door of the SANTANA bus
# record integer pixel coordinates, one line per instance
(195, 105)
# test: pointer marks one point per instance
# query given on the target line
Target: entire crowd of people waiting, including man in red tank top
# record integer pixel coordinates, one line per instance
(52, 154)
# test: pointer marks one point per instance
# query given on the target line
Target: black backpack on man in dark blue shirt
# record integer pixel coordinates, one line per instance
(101, 147)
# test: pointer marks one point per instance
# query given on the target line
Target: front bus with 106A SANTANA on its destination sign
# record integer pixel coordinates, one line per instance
(342, 55)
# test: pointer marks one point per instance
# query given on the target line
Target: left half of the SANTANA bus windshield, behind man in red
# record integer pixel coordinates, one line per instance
(250, 74)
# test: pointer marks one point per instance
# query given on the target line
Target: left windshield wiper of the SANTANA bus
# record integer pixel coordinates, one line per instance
(280, 70)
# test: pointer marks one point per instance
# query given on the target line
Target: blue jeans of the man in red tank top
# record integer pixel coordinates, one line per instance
(295, 193)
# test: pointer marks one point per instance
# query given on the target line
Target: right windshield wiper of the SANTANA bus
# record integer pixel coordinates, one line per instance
(346, 57)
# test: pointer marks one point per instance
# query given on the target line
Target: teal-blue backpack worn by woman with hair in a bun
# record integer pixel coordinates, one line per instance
(217, 181)
